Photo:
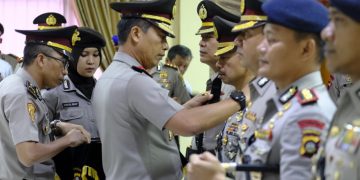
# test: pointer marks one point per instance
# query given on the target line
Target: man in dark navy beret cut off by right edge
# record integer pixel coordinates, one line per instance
(341, 36)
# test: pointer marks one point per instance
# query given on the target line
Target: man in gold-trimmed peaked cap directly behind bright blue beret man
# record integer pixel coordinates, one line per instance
(250, 30)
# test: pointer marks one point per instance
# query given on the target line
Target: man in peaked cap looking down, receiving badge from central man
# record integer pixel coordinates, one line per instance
(231, 72)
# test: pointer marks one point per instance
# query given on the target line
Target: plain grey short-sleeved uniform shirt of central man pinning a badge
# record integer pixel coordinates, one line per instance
(131, 112)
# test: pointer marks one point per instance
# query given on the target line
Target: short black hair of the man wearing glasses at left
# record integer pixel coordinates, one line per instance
(32, 50)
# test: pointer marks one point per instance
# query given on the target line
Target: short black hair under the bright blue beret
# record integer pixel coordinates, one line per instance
(318, 41)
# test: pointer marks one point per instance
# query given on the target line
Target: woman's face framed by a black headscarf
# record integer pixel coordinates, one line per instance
(89, 61)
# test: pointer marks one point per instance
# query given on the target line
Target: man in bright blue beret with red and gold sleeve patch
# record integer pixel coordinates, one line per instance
(301, 110)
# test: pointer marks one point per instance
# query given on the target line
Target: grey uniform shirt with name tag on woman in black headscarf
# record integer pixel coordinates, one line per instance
(69, 104)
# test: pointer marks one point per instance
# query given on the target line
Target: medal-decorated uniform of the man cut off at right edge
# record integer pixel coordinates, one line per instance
(343, 143)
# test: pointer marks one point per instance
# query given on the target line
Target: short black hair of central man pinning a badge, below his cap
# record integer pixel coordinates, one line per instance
(125, 24)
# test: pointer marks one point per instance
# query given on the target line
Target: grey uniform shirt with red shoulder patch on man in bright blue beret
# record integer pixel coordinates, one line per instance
(292, 129)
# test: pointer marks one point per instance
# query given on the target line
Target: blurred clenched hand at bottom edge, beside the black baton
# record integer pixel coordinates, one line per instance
(205, 166)
